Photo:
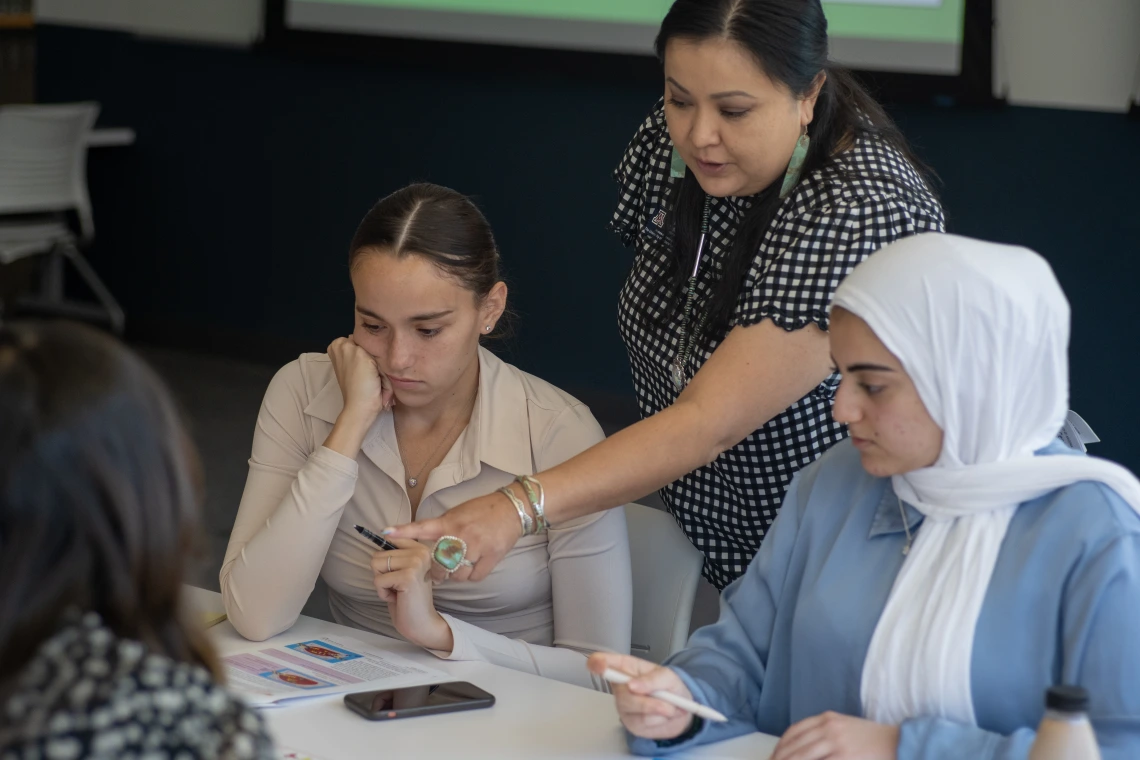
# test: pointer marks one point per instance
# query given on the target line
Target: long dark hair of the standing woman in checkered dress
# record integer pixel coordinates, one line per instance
(789, 42)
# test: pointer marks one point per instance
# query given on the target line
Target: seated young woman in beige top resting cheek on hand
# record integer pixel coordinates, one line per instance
(404, 420)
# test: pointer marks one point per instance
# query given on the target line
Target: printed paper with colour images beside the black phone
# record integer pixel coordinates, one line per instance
(331, 665)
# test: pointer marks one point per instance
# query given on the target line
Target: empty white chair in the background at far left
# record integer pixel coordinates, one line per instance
(43, 178)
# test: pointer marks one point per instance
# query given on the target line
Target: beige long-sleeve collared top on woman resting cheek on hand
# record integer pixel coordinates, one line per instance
(552, 601)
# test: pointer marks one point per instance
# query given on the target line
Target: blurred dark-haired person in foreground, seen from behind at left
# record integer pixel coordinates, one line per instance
(100, 495)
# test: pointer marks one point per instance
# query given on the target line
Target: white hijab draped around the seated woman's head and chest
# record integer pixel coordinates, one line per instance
(983, 332)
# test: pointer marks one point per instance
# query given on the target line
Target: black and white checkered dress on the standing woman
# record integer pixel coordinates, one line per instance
(866, 199)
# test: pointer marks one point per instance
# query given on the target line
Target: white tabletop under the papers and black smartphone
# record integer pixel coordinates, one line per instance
(533, 717)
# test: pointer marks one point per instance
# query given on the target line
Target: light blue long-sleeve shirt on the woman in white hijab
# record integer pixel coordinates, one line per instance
(1063, 608)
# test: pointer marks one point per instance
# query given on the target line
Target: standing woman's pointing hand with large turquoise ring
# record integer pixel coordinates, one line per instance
(490, 526)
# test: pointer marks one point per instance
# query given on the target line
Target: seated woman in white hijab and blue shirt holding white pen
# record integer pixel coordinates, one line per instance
(931, 578)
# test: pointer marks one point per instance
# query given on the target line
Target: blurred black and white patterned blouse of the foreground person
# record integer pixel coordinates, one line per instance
(89, 694)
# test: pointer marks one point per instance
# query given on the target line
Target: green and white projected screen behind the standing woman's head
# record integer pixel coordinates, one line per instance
(902, 36)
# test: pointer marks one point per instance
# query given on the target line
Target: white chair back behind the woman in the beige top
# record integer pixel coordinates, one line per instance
(666, 570)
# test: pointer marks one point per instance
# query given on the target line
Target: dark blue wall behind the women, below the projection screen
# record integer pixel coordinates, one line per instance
(226, 225)
